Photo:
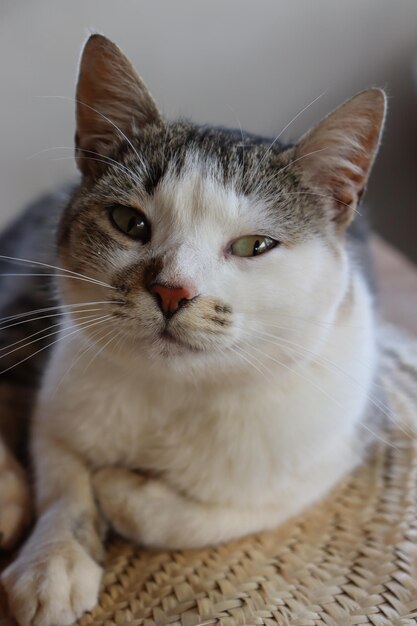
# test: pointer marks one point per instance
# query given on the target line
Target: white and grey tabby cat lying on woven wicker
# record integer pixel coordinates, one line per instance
(211, 371)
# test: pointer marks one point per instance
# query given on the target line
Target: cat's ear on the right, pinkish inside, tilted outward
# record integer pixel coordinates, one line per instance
(336, 156)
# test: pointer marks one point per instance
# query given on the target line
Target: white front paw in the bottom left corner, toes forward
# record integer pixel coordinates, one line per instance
(54, 587)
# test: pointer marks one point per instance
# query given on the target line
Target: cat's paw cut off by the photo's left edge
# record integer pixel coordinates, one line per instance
(15, 503)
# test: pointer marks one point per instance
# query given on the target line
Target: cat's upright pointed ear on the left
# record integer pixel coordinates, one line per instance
(112, 102)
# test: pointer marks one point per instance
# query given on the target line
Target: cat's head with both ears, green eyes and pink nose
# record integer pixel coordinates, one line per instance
(218, 246)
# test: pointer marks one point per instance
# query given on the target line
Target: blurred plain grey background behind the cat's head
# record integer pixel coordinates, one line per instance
(254, 63)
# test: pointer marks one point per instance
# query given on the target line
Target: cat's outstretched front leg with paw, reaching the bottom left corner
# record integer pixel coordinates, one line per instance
(56, 576)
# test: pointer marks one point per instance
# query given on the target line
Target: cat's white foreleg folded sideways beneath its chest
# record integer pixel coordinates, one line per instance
(150, 512)
